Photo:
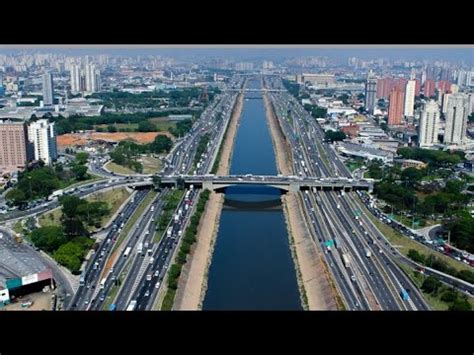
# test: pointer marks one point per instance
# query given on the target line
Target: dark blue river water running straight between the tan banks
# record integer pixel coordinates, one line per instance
(252, 267)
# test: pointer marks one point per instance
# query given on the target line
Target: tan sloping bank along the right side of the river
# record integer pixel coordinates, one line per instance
(315, 288)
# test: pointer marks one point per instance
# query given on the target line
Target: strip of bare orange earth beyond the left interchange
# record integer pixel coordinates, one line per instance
(72, 139)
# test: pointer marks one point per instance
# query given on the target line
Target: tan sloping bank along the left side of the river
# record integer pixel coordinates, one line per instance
(192, 284)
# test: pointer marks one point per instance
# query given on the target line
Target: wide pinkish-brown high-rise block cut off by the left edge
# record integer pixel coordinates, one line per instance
(15, 151)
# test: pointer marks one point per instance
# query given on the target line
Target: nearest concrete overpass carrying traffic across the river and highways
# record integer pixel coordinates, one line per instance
(283, 183)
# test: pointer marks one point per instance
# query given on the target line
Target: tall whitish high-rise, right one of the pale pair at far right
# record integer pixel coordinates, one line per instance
(456, 119)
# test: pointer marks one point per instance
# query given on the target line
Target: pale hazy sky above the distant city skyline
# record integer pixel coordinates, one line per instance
(455, 54)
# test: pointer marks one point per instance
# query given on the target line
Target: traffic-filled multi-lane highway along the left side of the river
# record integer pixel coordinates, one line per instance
(142, 273)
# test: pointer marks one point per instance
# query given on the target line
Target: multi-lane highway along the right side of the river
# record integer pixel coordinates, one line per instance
(375, 281)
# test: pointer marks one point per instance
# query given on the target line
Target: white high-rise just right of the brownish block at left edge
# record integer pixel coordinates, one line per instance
(42, 135)
